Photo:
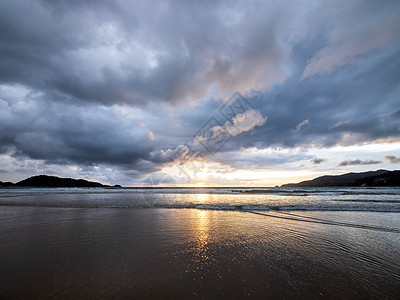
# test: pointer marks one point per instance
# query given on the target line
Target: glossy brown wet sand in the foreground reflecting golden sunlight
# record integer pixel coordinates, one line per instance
(181, 253)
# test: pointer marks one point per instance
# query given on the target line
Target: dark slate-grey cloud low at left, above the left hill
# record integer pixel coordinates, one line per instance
(63, 133)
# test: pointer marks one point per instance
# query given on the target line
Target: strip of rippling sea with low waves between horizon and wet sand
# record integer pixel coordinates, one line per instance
(264, 199)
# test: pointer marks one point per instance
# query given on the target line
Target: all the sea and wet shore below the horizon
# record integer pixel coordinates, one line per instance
(201, 243)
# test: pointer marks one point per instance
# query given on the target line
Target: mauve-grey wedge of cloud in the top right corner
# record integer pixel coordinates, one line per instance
(352, 37)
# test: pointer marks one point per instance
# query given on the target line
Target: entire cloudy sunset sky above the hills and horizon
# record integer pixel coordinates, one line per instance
(198, 93)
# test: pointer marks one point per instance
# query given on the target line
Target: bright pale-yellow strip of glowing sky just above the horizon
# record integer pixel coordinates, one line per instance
(270, 167)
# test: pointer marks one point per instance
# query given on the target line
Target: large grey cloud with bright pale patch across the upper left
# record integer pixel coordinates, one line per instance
(137, 52)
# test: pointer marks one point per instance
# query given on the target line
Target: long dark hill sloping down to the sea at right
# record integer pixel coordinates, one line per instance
(372, 178)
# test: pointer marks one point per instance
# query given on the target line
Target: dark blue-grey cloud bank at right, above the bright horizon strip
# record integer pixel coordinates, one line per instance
(347, 94)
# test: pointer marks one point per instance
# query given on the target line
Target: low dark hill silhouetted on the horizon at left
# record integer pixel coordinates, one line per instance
(53, 181)
